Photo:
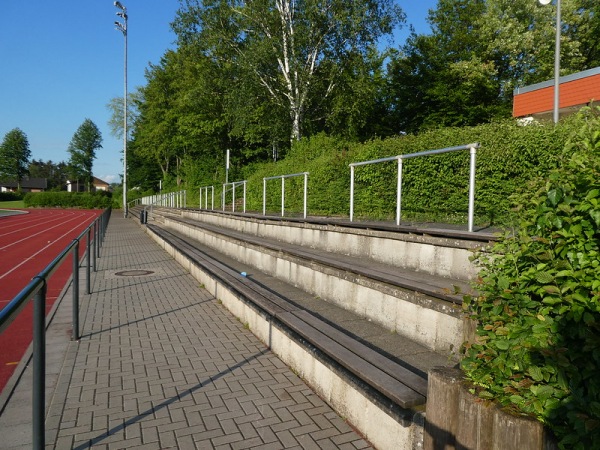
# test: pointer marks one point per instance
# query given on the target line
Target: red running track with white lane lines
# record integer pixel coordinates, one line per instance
(28, 243)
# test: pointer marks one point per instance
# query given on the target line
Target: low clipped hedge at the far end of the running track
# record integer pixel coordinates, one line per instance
(63, 199)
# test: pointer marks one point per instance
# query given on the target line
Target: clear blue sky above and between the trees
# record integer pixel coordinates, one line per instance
(61, 62)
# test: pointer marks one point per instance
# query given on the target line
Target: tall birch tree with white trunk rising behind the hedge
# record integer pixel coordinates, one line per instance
(288, 48)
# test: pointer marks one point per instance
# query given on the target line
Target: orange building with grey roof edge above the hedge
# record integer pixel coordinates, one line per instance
(575, 91)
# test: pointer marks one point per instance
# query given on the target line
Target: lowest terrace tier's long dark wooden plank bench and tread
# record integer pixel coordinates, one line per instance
(332, 331)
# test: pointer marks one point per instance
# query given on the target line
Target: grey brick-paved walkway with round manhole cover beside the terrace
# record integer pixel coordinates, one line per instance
(161, 364)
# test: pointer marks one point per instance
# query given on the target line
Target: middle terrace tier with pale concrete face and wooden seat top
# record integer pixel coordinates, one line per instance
(425, 308)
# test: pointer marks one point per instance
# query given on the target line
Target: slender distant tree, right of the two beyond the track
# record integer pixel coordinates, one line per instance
(82, 148)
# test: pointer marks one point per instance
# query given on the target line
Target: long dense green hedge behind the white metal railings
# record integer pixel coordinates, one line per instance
(434, 187)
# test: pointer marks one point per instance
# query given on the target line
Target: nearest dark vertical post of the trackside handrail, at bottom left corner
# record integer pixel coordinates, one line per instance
(39, 368)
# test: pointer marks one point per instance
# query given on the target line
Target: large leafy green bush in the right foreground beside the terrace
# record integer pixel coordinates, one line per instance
(538, 310)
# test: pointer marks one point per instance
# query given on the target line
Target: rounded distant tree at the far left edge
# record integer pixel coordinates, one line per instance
(14, 156)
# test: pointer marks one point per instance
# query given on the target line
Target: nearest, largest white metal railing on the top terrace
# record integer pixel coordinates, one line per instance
(471, 147)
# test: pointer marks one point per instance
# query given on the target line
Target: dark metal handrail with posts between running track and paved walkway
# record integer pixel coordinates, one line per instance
(36, 289)
